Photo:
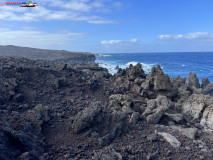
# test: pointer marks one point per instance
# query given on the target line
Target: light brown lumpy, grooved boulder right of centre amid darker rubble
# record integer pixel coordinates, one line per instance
(156, 109)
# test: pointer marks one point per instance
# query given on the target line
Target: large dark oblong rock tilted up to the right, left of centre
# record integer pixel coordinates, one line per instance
(87, 117)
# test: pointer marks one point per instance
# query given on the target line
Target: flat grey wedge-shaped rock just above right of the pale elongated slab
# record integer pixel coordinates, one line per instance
(188, 132)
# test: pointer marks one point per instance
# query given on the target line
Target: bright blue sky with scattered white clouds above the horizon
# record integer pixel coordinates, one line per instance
(110, 26)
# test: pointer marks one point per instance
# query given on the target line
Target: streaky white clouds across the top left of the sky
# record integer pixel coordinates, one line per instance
(73, 10)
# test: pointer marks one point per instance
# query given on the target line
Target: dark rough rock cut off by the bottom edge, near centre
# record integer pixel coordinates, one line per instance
(108, 154)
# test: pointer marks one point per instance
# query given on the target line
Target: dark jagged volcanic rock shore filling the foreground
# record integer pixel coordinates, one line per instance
(56, 110)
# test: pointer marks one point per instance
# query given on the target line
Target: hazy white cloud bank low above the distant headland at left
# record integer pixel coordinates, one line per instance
(38, 39)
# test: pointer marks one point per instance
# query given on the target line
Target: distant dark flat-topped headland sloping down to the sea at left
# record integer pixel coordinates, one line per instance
(52, 55)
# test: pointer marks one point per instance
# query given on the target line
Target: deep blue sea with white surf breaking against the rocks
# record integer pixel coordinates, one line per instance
(173, 64)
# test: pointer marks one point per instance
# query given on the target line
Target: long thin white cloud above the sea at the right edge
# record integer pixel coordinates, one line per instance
(189, 36)
